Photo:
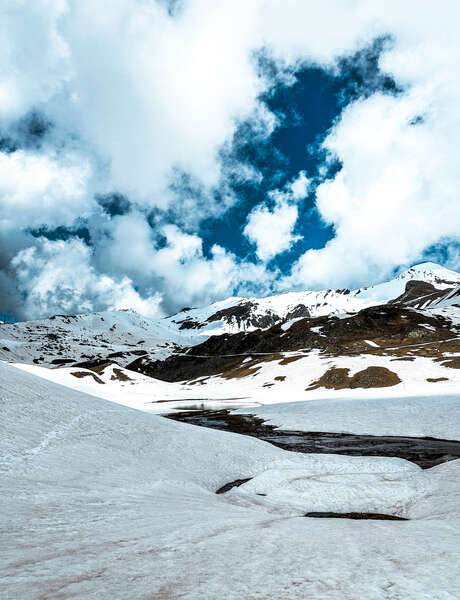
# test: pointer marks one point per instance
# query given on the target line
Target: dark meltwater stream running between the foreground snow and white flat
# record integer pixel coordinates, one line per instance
(425, 452)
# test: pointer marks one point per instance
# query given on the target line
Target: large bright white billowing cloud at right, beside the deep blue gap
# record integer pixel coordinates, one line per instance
(397, 192)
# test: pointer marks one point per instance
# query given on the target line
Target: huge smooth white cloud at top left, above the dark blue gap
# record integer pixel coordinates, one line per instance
(149, 92)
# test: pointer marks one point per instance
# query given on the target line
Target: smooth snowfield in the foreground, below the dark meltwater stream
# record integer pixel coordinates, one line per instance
(103, 501)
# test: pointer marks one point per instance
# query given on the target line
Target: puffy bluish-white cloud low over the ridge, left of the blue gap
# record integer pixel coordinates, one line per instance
(178, 268)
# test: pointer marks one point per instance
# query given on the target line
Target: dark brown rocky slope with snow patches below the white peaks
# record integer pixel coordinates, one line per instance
(380, 330)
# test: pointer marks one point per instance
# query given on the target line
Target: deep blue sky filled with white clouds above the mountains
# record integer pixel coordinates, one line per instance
(158, 154)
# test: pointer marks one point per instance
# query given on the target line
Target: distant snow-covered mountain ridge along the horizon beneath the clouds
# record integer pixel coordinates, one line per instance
(123, 336)
